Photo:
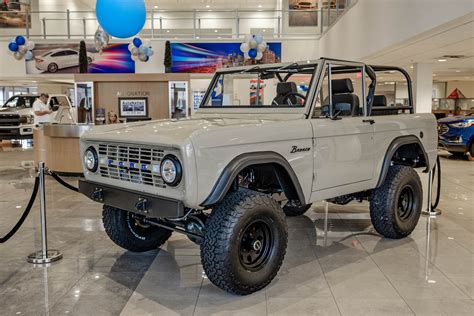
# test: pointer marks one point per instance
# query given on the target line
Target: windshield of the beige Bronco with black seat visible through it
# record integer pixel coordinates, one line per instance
(262, 88)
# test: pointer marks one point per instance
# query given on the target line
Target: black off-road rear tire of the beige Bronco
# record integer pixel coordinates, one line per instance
(395, 207)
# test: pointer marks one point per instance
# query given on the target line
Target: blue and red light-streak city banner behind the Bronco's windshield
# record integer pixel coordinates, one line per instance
(208, 57)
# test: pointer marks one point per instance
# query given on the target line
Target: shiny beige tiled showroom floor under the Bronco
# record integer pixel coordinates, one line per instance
(352, 271)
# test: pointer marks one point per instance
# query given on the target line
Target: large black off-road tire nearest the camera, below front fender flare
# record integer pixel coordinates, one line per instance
(227, 243)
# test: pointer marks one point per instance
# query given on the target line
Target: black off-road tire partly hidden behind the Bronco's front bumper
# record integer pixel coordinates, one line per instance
(125, 231)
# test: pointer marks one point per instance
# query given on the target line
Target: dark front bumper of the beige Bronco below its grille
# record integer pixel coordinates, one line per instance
(132, 201)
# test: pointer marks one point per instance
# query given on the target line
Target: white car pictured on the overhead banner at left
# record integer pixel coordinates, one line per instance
(60, 58)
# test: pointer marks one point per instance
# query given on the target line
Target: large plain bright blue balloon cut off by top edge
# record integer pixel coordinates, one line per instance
(121, 18)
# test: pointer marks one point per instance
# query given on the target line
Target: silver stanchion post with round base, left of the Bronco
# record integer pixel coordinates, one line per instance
(44, 255)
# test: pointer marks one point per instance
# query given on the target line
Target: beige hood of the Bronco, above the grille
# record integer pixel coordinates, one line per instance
(168, 132)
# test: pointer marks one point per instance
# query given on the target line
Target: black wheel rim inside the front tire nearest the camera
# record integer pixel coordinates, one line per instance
(256, 244)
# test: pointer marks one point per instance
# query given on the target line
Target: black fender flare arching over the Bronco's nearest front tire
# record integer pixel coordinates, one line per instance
(230, 172)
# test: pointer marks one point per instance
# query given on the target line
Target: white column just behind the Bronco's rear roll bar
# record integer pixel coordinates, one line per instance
(423, 87)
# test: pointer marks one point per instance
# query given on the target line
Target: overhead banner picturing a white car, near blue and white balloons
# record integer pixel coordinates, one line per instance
(64, 58)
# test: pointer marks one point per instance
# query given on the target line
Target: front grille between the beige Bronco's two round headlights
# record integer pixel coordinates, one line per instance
(136, 164)
